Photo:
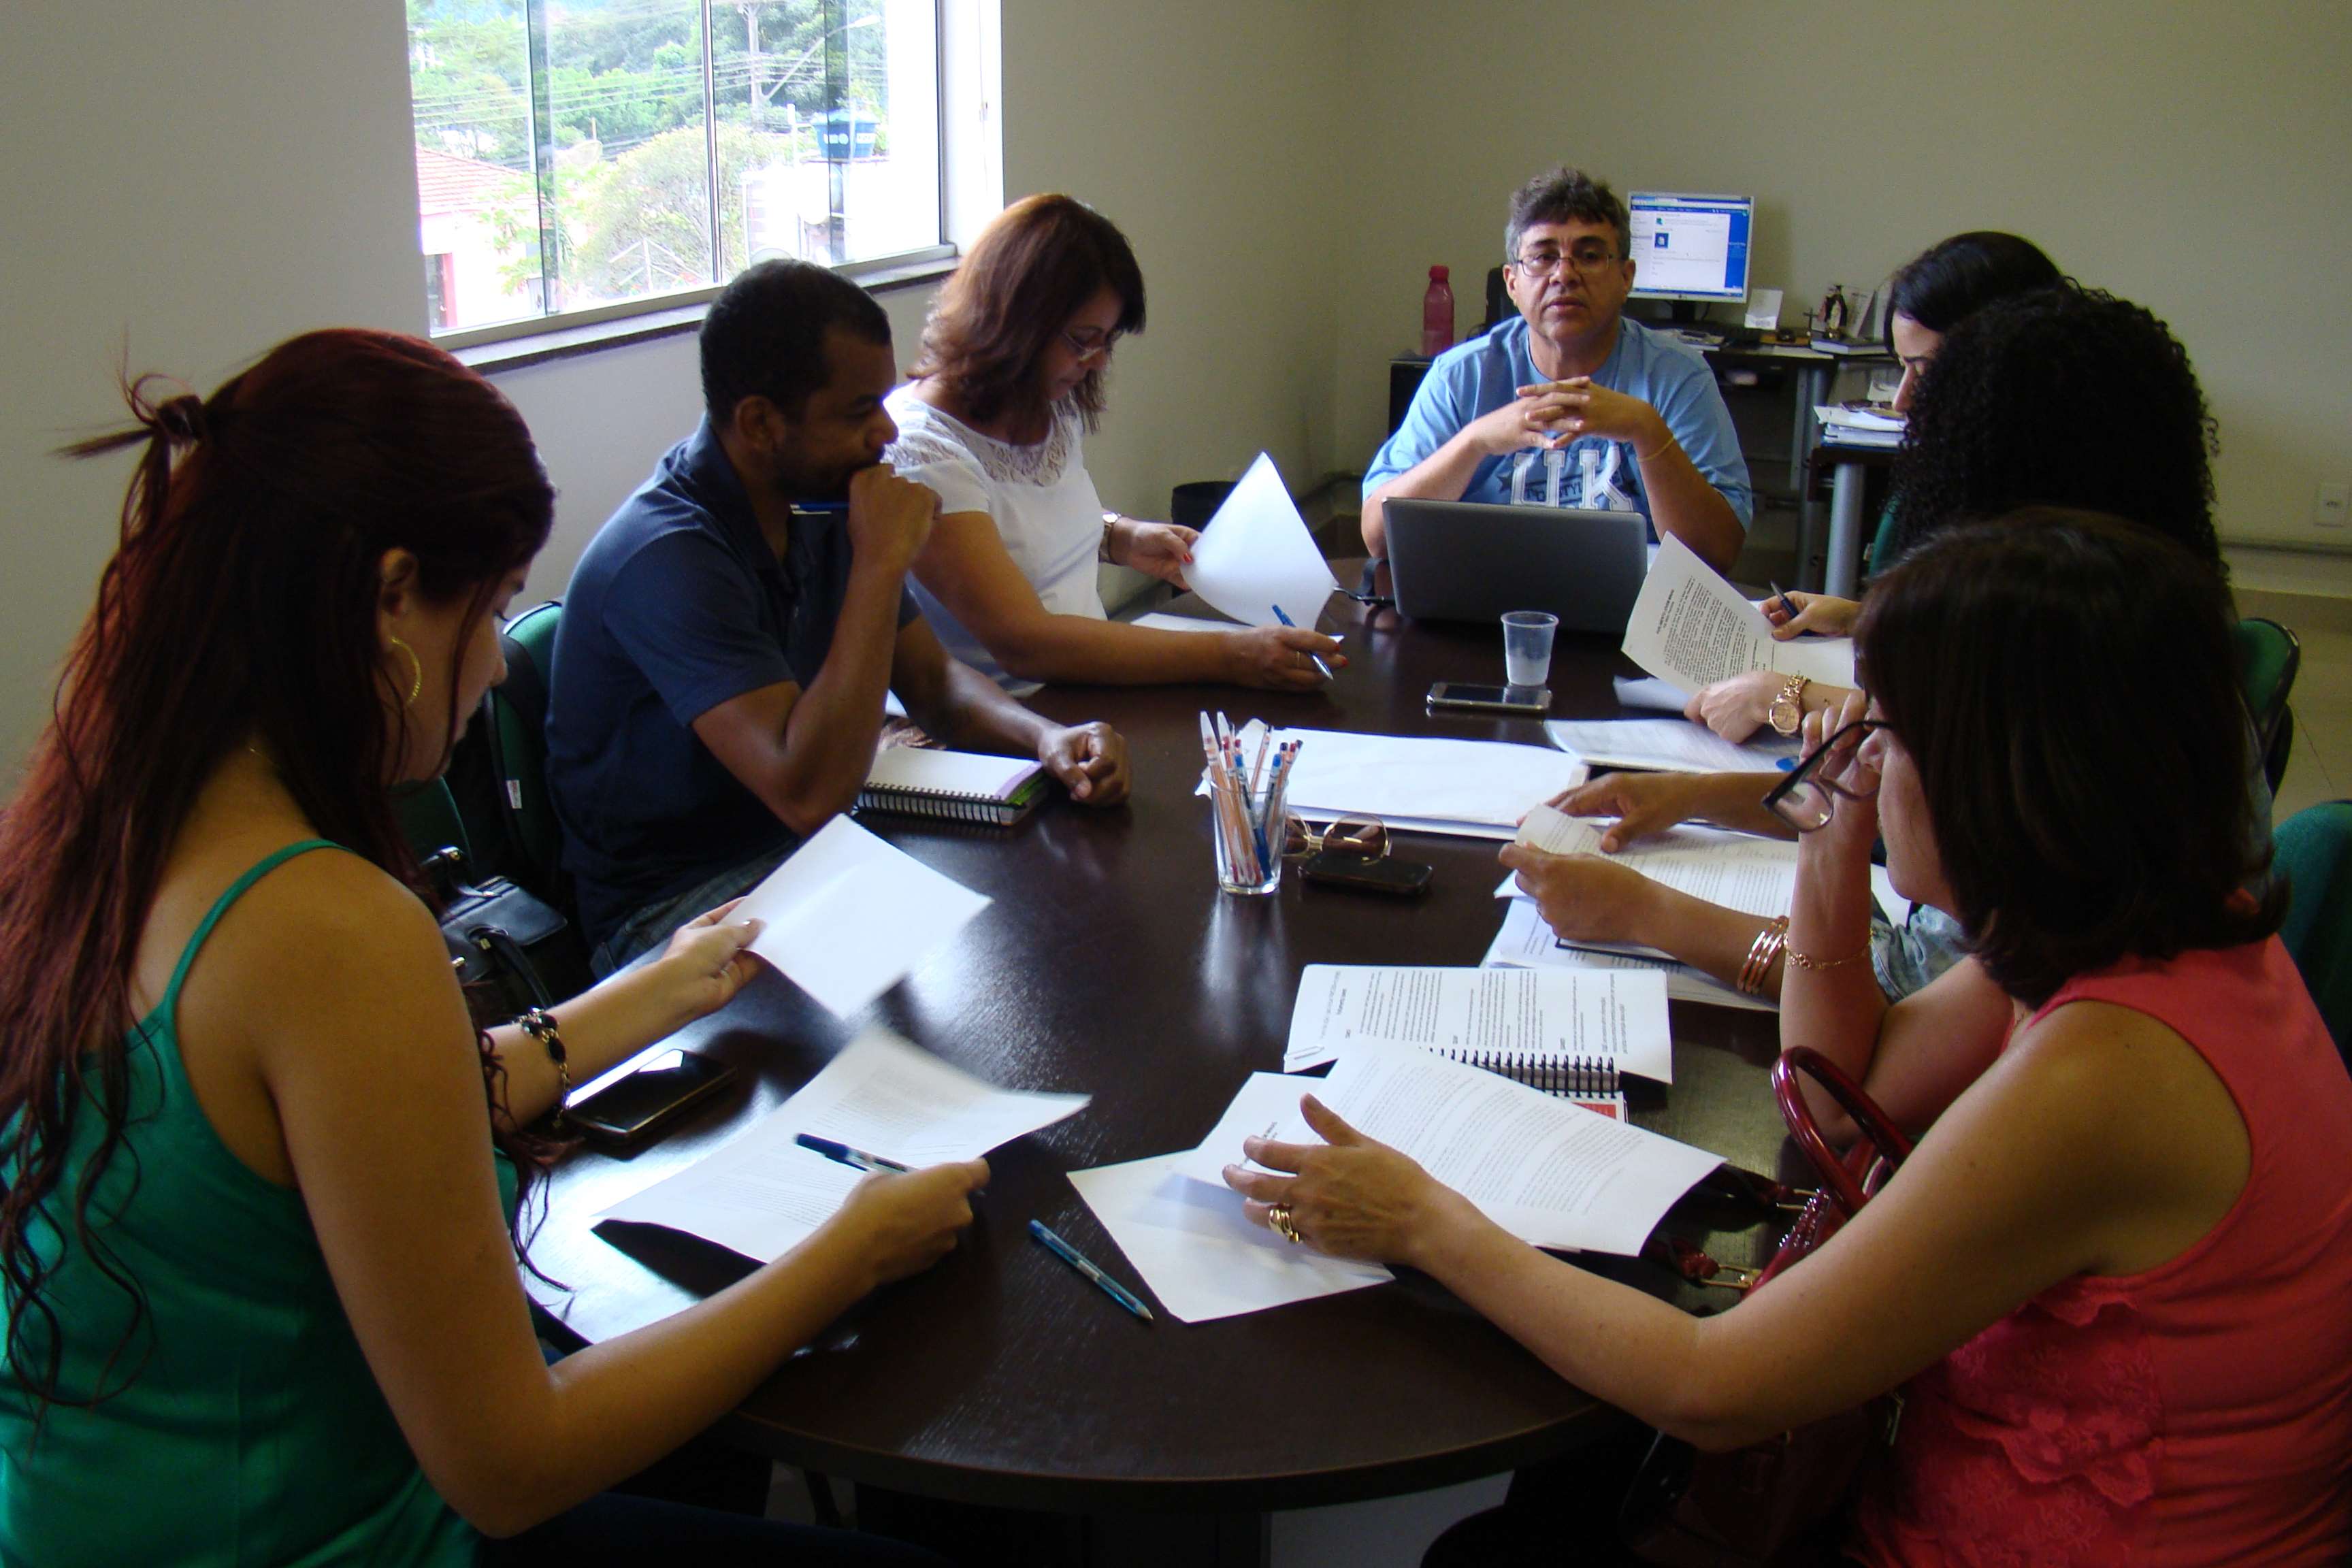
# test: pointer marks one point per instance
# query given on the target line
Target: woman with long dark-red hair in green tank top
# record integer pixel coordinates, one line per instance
(262, 1299)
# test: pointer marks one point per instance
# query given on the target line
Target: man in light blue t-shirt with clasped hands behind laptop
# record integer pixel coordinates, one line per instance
(1570, 403)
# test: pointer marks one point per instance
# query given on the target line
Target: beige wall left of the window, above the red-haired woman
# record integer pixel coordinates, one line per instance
(185, 185)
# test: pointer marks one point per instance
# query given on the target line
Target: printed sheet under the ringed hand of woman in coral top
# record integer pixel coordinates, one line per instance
(1539, 1167)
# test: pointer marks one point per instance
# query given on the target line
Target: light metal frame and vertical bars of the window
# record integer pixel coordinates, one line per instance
(575, 330)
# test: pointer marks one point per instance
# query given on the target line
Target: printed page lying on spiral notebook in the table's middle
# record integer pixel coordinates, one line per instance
(1509, 1012)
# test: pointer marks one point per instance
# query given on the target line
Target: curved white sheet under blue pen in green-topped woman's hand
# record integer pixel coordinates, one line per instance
(763, 1195)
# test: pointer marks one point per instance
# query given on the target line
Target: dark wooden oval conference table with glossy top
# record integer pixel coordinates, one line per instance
(1111, 965)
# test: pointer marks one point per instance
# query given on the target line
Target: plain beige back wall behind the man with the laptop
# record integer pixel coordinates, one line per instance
(2181, 154)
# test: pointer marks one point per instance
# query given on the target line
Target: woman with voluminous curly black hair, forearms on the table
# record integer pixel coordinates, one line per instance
(2050, 398)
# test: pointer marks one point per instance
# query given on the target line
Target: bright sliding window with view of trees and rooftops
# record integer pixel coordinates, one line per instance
(589, 156)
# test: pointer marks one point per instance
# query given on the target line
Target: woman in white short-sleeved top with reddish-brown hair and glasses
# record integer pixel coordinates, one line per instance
(994, 420)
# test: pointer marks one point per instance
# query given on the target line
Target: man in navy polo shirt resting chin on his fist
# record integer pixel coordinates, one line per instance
(733, 631)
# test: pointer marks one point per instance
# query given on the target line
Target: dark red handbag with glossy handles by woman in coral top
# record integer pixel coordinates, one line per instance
(1779, 1503)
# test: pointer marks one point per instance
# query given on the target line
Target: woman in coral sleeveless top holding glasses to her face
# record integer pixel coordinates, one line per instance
(2111, 1278)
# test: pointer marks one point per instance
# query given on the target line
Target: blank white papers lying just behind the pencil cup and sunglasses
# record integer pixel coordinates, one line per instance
(1424, 784)
